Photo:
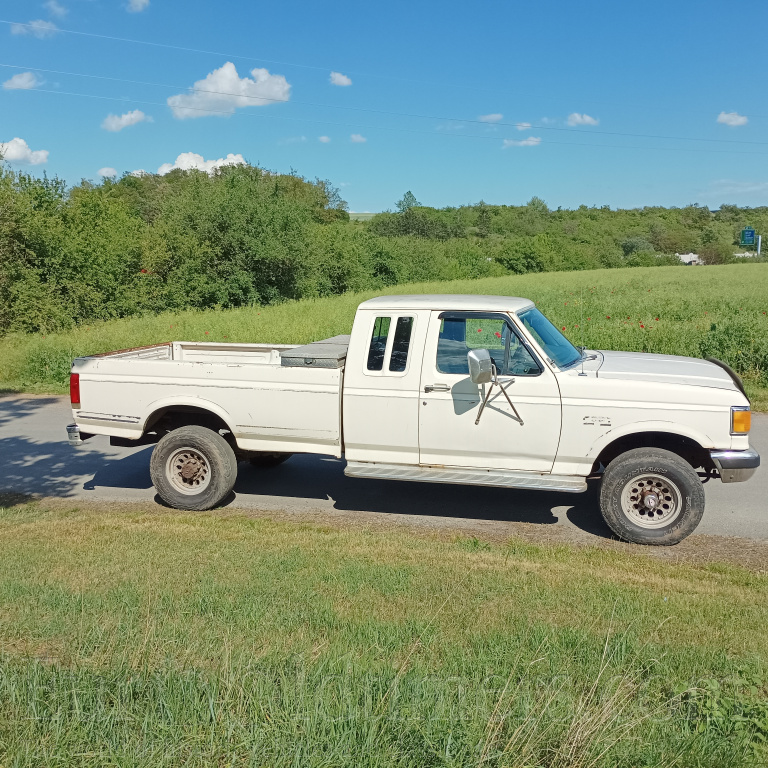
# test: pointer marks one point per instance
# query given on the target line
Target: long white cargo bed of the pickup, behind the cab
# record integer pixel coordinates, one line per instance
(272, 397)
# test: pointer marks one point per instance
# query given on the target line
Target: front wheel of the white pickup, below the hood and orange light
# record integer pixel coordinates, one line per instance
(651, 496)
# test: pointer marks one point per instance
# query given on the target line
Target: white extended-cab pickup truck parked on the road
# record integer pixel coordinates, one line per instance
(478, 390)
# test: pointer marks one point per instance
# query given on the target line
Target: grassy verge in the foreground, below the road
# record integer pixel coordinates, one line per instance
(147, 637)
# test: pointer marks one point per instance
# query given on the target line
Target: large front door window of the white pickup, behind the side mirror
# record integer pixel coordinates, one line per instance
(458, 335)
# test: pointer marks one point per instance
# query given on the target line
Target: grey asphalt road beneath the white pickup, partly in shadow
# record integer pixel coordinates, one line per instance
(36, 458)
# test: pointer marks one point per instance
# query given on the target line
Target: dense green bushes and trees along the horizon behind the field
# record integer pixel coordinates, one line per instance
(246, 236)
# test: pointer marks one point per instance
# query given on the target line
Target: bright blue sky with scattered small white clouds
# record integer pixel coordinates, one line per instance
(629, 103)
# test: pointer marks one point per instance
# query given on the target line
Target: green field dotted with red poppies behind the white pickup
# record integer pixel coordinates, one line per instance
(707, 311)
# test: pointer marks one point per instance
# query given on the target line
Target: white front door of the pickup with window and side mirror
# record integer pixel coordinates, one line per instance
(449, 402)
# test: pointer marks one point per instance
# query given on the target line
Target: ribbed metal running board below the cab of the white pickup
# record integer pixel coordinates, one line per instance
(494, 477)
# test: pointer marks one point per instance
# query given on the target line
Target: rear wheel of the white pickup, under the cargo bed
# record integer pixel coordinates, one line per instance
(193, 468)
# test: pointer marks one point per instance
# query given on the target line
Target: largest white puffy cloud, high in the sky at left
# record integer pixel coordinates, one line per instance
(223, 91)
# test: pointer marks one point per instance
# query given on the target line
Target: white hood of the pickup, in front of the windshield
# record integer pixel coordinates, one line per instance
(664, 369)
